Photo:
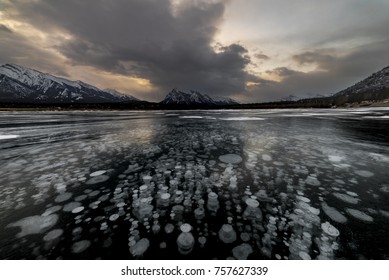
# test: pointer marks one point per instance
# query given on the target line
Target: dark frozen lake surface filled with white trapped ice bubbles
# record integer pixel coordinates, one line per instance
(256, 184)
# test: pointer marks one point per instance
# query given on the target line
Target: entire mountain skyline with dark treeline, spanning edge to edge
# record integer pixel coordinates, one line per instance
(21, 85)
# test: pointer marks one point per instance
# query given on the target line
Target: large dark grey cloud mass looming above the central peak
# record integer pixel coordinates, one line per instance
(145, 39)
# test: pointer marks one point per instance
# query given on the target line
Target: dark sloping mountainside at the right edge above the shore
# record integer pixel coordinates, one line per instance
(373, 88)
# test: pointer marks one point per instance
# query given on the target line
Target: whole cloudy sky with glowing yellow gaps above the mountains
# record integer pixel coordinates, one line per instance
(251, 50)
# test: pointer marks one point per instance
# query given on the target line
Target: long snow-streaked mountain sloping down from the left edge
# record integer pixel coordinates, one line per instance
(21, 84)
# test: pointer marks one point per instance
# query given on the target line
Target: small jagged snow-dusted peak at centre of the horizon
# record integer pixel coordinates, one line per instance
(194, 98)
